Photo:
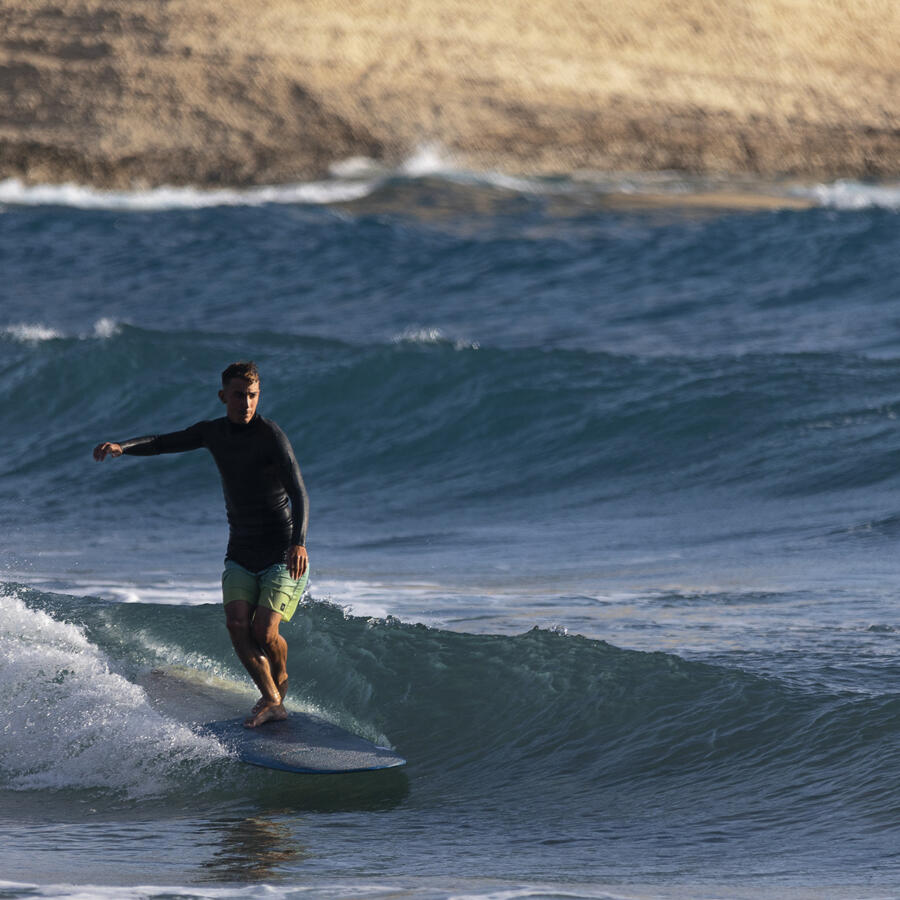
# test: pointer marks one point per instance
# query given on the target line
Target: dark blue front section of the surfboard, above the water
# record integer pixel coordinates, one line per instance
(302, 743)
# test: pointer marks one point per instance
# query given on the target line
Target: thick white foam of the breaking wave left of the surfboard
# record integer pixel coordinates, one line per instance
(63, 701)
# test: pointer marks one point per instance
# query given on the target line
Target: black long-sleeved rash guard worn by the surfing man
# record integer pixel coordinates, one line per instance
(265, 498)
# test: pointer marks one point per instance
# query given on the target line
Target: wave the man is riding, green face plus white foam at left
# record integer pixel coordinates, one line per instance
(572, 729)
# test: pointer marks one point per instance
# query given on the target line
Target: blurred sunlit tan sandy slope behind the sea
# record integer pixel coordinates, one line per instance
(125, 92)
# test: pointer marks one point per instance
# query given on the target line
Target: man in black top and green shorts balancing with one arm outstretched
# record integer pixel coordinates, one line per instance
(266, 565)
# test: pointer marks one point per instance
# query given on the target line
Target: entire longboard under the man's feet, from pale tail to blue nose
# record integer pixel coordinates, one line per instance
(304, 743)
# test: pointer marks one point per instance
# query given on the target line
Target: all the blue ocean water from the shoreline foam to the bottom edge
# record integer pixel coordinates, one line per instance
(605, 505)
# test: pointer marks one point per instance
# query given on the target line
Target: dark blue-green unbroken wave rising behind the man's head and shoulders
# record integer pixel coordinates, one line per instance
(505, 422)
